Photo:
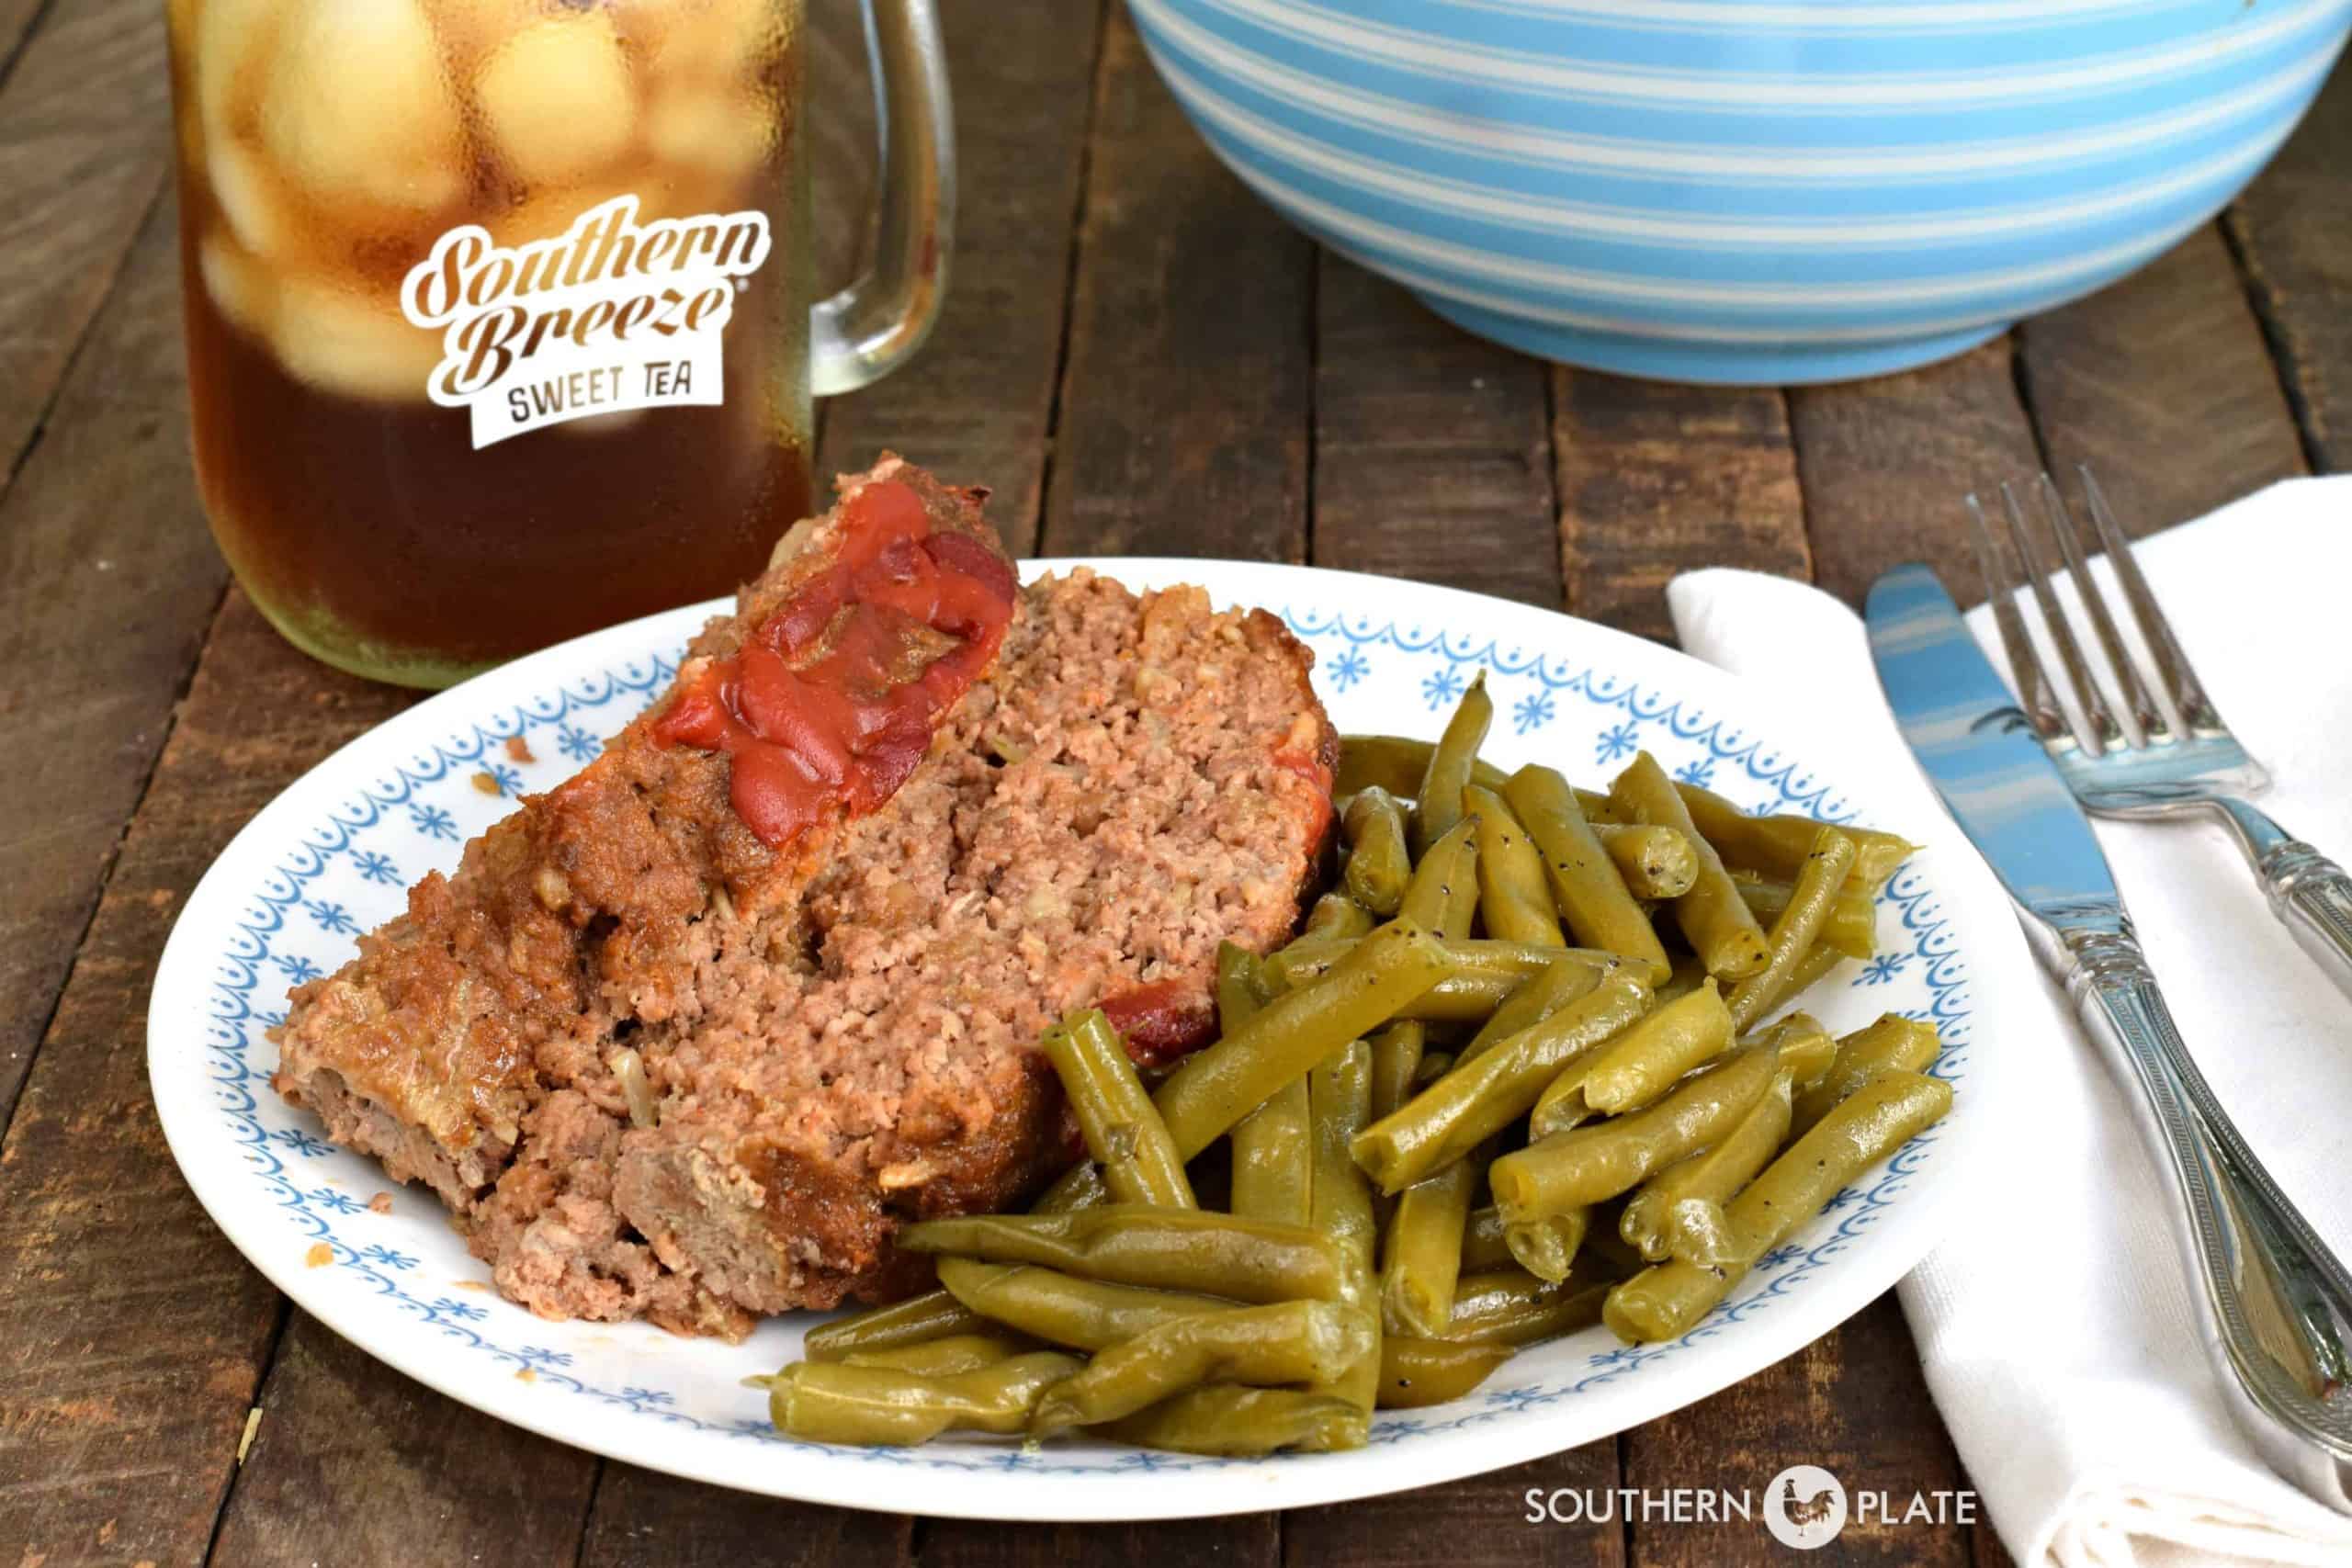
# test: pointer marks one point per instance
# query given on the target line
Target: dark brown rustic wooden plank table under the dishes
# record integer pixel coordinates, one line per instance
(1137, 356)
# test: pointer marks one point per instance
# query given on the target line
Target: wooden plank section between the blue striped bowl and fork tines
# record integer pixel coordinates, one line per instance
(2163, 384)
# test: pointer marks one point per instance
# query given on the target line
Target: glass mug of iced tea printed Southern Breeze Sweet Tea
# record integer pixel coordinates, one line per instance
(500, 316)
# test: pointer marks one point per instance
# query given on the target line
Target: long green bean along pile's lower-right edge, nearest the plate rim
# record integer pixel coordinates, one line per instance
(1669, 1299)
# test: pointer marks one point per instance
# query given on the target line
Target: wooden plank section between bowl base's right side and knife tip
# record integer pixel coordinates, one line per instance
(1887, 462)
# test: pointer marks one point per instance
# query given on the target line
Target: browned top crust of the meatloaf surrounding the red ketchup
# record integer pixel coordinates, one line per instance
(573, 918)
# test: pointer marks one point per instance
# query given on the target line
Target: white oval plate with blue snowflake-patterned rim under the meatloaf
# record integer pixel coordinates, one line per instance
(335, 855)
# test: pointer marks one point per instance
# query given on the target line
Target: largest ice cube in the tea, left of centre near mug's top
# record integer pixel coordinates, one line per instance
(361, 109)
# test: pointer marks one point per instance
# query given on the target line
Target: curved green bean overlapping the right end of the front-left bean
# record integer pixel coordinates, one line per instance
(1259, 1346)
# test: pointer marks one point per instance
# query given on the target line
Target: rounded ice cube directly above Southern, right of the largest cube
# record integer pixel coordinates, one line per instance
(559, 100)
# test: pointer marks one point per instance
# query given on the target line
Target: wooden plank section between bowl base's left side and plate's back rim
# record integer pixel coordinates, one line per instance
(1431, 445)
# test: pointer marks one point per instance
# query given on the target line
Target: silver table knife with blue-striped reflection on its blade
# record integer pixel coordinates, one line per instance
(2278, 1301)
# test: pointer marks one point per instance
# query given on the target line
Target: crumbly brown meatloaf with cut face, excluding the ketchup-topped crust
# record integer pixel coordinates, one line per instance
(846, 1043)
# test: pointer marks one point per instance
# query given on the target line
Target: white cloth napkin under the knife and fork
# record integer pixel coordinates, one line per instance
(2057, 1320)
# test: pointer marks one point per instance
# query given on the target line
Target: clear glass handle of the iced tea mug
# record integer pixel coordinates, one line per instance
(878, 321)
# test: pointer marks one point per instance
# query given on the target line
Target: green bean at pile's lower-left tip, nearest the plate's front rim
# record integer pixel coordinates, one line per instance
(827, 1402)
